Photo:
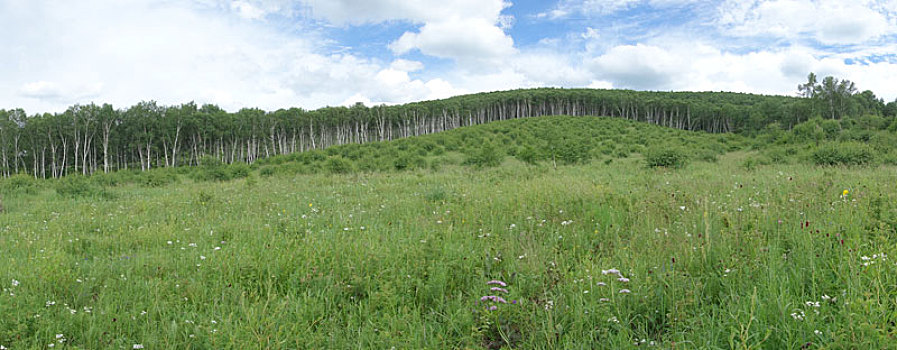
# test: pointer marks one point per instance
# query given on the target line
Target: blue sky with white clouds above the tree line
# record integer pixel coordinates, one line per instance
(274, 54)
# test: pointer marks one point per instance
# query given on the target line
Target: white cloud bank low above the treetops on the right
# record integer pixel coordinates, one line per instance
(700, 67)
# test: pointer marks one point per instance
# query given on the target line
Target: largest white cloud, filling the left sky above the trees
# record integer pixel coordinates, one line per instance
(62, 53)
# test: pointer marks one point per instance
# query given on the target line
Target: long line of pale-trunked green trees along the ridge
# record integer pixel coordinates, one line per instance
(92, 138)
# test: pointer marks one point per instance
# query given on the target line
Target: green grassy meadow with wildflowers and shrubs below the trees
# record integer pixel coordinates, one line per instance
(444, 241)
